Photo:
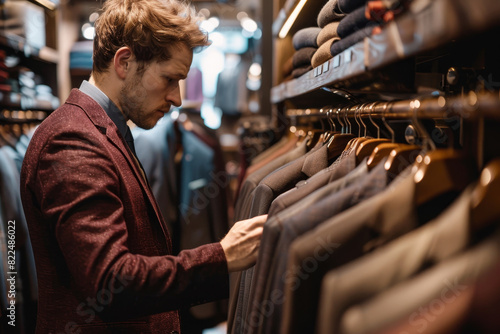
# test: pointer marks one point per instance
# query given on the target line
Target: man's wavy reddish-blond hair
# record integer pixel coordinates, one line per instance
(150, 28)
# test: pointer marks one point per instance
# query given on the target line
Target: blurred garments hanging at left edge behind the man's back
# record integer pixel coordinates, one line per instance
(18, 282)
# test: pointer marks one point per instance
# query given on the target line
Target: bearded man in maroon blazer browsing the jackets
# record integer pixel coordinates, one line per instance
(101, 247)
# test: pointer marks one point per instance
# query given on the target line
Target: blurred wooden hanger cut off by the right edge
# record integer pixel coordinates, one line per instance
(485, 208)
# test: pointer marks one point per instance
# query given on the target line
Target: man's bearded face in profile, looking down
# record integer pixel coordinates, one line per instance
(146, 97)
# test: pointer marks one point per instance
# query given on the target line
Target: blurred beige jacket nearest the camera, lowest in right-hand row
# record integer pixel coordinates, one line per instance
(438, 285)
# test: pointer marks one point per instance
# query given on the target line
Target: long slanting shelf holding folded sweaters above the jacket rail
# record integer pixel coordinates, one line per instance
(427, 25)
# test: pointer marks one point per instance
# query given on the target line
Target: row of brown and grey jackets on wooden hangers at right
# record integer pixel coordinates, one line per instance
(354, 247)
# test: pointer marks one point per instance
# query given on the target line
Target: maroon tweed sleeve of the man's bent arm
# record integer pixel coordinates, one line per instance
(78, 189)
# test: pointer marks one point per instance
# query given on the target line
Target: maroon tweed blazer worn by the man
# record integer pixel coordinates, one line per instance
(102, 251)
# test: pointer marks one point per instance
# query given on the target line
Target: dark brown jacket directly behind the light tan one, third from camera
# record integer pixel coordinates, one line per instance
(340, 240)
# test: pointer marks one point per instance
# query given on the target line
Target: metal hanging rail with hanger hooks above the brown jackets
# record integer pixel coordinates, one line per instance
(466, 114)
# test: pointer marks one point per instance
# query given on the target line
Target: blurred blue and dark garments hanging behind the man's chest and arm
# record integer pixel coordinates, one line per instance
(183, 161)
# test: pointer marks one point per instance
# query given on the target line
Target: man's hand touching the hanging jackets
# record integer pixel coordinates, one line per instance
(241, 244)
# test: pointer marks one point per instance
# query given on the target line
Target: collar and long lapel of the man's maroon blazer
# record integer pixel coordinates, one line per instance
(106, 126)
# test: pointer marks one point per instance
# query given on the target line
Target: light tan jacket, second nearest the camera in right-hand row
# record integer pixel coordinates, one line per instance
(403, 258)
